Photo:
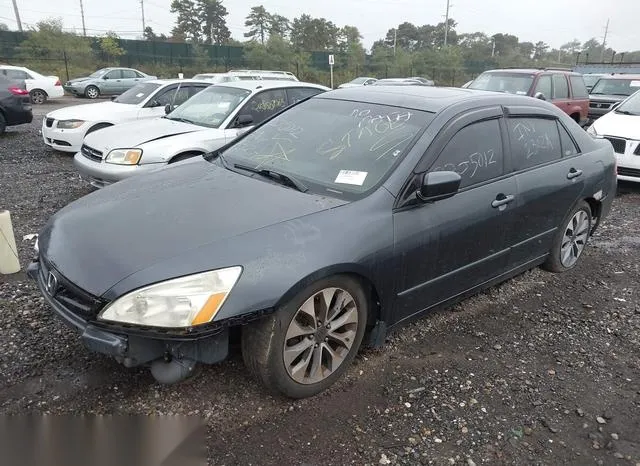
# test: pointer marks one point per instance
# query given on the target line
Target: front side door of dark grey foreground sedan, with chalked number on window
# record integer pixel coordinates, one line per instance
(447, 247)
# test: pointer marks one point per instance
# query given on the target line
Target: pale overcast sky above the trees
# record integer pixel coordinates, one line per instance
(552, 21)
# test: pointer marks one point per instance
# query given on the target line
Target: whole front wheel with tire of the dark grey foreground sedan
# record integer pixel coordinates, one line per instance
(308, 343)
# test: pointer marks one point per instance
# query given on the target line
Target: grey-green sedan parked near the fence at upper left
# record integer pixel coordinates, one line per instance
(107, 81)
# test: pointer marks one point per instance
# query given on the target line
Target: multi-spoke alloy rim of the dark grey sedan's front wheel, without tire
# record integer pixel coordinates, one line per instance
(320, 335)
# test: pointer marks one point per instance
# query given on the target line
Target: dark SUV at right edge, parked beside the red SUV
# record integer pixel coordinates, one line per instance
(610, 90)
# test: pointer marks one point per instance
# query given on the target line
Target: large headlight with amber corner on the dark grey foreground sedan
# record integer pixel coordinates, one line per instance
(180, 302)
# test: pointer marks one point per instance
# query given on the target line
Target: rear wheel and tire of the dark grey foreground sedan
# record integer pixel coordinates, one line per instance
(571, 239)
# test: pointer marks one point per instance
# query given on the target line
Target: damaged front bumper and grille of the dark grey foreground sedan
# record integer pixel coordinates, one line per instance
(131, 346)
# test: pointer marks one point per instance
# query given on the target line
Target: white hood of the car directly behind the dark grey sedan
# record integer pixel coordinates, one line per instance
(136, 133)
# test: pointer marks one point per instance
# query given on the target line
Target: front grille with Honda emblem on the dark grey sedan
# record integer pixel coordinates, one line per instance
(68, 295)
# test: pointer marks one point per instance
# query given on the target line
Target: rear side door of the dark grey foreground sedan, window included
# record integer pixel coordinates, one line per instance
(549, 176)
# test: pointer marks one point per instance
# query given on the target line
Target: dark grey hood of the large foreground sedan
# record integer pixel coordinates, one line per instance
(110, 234)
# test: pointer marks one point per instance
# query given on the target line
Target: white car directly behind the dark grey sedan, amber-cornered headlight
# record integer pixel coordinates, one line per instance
(202, 124)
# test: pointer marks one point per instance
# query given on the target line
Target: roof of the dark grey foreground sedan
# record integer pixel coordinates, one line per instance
(427, 98)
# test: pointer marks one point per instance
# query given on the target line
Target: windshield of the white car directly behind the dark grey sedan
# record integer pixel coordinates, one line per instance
(210, 107)
